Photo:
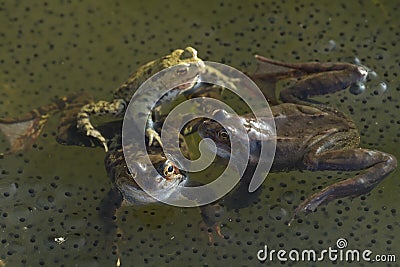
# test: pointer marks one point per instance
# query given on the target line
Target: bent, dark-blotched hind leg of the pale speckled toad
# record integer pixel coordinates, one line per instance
(99, 108)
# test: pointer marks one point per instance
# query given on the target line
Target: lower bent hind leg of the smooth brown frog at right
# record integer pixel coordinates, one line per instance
(376, 165)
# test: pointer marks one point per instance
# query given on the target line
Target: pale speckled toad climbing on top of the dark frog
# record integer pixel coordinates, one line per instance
(122, 96)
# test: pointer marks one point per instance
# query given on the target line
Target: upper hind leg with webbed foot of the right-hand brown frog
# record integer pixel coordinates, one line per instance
(316, 78)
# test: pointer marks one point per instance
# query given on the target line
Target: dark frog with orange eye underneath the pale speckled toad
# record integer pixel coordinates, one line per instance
(162, 178)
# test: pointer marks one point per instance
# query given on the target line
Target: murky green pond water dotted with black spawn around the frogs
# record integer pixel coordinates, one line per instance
(53, 191)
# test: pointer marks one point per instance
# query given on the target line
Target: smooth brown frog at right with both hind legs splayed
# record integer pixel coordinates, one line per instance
(309, 135)
